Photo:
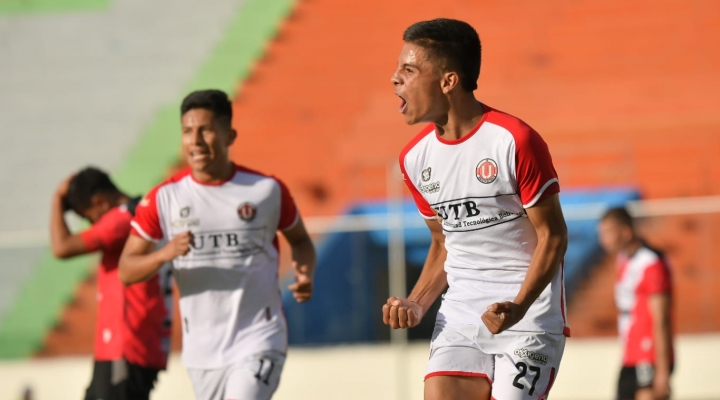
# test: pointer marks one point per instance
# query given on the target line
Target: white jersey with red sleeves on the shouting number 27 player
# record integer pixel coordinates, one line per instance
(478, 188)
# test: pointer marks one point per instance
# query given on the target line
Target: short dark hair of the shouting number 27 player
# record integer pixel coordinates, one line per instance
(454, 43)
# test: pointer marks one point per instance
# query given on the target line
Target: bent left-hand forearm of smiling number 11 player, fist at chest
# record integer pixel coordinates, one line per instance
(140, 261)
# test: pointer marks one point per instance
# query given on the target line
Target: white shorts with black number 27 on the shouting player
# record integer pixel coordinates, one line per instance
(518, 365)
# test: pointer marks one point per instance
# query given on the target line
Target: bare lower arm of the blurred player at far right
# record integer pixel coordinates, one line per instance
(660, 311)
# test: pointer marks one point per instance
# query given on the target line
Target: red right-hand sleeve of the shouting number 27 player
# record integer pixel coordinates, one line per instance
(535, 174)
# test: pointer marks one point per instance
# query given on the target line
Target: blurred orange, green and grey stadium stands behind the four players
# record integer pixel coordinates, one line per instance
(627, 95)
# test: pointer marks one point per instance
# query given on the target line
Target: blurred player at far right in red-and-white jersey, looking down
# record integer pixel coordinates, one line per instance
(643, 297)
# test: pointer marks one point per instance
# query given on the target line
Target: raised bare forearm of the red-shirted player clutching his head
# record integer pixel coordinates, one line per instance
(63, 243)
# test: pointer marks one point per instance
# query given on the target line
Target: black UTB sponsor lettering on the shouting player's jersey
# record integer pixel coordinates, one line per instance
(469, 214)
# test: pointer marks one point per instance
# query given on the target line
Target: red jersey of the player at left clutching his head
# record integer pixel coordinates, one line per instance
(133, 322)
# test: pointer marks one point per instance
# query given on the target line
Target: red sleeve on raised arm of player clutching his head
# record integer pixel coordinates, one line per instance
(109, 233)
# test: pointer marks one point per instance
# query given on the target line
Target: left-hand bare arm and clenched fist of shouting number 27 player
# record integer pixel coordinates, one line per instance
(406, 313)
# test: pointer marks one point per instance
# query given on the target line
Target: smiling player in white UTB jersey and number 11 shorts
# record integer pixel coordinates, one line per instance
(220, 220)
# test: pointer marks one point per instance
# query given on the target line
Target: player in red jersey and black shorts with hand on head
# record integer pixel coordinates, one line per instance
(132, 334)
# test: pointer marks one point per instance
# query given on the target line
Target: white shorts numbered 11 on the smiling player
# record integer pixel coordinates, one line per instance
(255, 379)
